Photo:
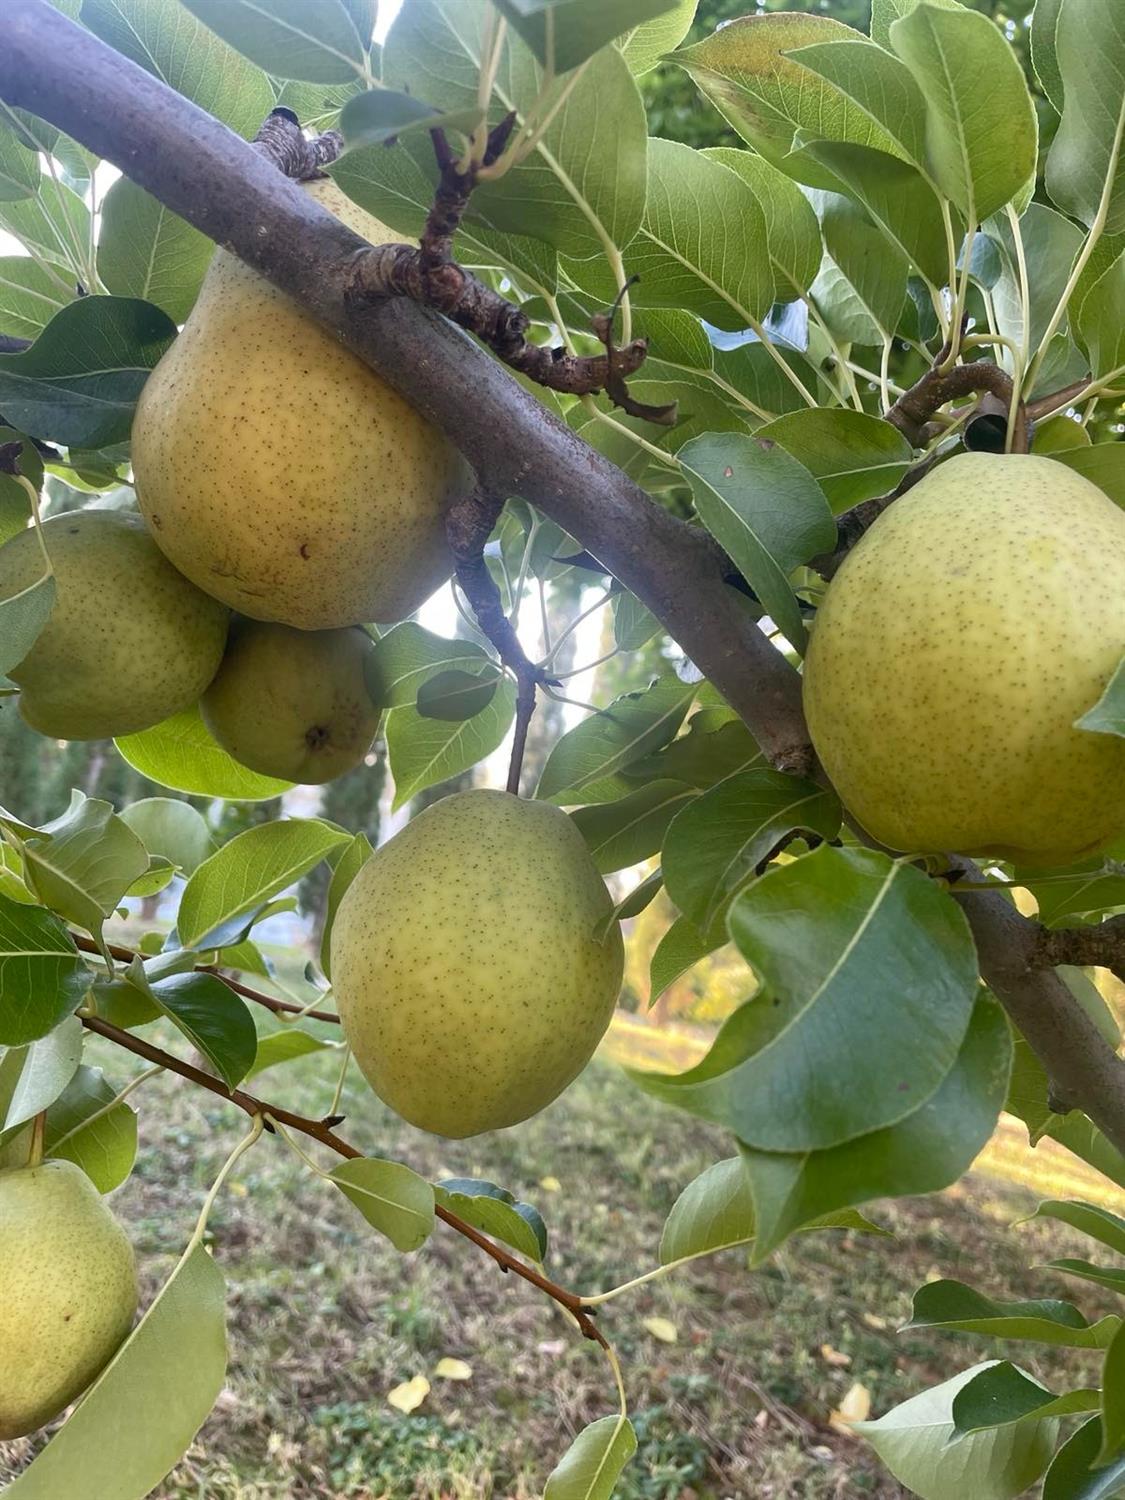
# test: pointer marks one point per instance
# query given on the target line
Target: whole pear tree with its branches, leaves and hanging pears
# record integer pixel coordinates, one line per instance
(307, 326)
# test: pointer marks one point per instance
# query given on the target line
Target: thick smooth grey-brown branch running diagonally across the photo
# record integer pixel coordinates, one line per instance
(203, 172)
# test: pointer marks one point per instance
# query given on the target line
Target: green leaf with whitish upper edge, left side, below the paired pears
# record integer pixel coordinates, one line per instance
(85, 863)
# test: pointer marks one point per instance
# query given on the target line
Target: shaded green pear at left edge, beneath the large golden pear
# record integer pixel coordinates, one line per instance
(130, 640)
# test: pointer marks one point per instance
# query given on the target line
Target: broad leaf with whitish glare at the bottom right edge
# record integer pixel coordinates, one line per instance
(916, 1441)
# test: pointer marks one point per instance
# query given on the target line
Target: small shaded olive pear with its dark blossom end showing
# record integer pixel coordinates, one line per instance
(293, 703)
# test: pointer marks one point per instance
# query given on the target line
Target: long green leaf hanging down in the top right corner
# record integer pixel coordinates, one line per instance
(1087, 161)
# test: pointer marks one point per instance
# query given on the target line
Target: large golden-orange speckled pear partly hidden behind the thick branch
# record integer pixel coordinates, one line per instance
(278, 472)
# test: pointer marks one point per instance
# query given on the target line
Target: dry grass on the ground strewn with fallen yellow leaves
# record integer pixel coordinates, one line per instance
(326, 1319)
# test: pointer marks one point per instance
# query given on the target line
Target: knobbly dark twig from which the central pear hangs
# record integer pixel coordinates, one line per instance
(469, 527)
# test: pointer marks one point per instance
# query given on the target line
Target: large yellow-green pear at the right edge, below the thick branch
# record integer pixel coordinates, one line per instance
(977, 620)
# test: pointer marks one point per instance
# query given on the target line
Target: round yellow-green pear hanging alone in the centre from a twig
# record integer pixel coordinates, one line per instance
(470, 977)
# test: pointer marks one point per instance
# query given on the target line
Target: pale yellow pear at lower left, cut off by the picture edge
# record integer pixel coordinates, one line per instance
(68, 1291)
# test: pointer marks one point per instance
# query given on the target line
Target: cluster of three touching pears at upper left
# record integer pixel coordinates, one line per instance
(245, 506)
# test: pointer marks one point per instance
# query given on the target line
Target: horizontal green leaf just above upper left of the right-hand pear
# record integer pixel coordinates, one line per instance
(850, 454)
